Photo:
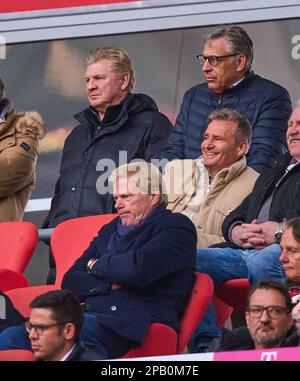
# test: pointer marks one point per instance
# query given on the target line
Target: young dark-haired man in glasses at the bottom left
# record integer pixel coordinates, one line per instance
(53, 329)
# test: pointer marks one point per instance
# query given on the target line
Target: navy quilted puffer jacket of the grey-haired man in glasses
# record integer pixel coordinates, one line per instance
(264, 103)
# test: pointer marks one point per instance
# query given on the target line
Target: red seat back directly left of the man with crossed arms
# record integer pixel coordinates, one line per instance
(72, 237)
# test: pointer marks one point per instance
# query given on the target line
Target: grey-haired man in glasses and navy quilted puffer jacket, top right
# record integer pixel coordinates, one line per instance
(226, 64)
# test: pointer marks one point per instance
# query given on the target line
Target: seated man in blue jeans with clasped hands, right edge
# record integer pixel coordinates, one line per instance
(253, 230)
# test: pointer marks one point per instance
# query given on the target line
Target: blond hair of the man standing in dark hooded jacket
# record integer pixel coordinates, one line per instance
(121, 61)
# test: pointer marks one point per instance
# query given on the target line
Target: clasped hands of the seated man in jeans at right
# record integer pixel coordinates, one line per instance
(248, 236)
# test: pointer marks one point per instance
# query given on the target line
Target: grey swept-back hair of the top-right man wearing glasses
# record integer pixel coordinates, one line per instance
(238, 41)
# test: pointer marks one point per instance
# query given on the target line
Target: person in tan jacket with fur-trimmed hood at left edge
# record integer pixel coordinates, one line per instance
(19, 135)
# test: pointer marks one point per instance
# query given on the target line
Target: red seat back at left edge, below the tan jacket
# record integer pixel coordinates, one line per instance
(18, 242)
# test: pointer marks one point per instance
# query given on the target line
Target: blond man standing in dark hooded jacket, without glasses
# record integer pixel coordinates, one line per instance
(117, 127)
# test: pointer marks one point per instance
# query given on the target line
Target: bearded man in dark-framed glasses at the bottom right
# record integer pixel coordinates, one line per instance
(268, 318)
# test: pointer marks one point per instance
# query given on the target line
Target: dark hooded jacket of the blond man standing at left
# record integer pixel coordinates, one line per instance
(135, 126)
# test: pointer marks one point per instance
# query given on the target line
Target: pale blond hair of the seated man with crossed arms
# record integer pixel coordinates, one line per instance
(147, 175)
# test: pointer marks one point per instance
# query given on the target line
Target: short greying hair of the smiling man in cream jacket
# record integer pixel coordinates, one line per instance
(244, 130)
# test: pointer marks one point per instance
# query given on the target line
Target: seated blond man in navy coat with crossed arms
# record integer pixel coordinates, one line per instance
(139, 270)
